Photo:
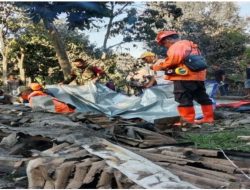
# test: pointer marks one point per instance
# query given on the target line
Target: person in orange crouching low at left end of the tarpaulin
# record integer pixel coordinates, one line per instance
(27, 94)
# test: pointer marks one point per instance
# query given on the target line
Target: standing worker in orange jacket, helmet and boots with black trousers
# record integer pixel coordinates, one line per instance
(187, 87)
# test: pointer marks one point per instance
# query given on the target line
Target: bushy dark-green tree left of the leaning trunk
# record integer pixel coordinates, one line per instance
(36, 49)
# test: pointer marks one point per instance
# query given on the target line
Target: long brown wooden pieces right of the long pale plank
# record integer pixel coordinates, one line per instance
(203, 168)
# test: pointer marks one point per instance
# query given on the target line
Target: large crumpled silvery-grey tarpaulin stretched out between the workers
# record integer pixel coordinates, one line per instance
(156, 102)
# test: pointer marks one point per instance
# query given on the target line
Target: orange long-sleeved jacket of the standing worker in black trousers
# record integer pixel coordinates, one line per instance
(175, 58)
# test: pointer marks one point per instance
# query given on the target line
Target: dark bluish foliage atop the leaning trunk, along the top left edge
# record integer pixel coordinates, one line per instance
(79, 14)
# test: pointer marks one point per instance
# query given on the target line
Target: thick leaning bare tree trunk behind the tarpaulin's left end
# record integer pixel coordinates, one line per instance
(59, 47)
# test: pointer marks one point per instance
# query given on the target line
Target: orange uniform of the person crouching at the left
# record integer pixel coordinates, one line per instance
(59, 107)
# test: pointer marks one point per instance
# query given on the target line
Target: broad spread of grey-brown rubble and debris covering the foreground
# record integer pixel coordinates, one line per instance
(48, 150)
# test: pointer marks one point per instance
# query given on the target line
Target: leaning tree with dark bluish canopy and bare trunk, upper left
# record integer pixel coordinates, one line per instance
(79, 14)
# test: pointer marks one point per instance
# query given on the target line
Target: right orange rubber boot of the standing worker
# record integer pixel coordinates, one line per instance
(208, 114)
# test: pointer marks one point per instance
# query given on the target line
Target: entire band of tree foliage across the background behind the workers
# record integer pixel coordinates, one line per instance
(216, 27)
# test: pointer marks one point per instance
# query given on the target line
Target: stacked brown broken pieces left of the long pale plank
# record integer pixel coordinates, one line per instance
(61, 167)
